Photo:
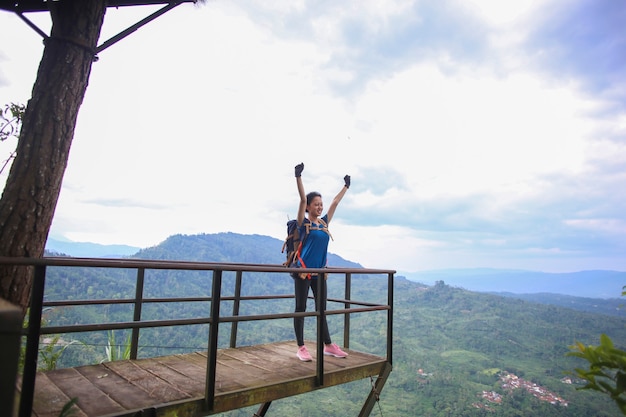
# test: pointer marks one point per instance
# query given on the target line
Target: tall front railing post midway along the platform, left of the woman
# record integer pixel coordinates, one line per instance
(209, 394)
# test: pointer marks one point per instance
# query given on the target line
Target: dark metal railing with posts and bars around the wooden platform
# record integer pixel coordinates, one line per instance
(40, 266)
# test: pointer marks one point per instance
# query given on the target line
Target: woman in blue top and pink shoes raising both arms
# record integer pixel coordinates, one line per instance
(312, 254)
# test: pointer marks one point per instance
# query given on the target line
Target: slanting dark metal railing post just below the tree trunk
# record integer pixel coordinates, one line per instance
(32, 342)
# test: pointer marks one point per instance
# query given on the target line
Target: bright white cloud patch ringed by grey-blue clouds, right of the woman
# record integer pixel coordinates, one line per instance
(473, 132)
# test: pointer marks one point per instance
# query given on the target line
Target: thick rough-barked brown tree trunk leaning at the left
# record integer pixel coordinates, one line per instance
(32, 189)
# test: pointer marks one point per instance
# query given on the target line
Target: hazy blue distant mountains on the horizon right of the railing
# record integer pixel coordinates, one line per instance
(590, 284)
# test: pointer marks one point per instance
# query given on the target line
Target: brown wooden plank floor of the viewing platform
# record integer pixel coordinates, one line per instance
(245, 376)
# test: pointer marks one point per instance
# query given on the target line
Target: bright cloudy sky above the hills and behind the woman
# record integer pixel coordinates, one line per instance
(478, 134)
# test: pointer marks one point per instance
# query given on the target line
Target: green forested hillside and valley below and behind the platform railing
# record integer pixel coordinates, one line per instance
(456, 352)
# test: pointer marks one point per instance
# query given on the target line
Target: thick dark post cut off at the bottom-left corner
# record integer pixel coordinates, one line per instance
(10, 335)
